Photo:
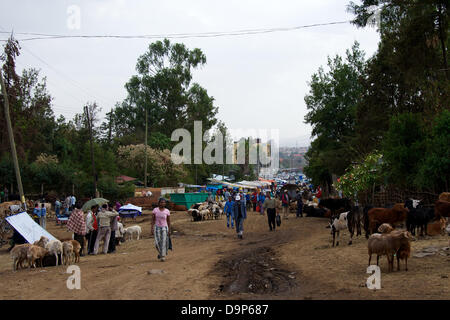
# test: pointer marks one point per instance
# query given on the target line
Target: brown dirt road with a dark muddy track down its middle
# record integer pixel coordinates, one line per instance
(209, 262)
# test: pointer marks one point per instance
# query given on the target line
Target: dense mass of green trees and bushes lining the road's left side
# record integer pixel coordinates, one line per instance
(55, 154)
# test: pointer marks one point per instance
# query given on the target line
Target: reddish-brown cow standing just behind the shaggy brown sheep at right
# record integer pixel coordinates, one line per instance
(377, 216)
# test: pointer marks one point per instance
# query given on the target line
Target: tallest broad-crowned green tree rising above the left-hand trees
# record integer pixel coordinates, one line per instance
(163, 87)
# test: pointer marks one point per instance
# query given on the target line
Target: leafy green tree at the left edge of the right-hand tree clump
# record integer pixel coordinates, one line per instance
(332, 101)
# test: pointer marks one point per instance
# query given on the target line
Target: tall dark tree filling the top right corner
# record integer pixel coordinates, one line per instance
(409, 73)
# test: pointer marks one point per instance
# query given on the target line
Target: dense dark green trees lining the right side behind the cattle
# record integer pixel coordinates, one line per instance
(398, 102)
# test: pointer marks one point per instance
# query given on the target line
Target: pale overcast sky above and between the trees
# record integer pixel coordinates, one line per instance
(258, 81)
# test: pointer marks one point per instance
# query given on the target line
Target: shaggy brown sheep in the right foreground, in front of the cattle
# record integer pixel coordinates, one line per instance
(388, 244)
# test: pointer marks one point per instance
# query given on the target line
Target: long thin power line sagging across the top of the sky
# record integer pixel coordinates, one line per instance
(43, 36)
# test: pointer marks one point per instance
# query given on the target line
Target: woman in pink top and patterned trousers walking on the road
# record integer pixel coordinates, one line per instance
(161, 228)
